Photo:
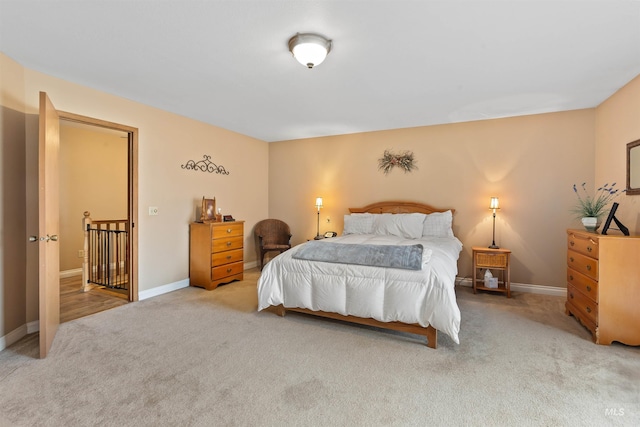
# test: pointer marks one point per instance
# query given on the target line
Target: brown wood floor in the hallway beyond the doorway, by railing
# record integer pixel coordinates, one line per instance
(74, 303)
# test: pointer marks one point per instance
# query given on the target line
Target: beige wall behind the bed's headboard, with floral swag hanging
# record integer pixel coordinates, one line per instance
(529, 162)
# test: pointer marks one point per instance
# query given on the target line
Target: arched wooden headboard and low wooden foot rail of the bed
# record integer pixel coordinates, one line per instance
(377, 208)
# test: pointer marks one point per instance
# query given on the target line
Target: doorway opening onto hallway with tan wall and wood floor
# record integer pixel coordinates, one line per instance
(98, 180)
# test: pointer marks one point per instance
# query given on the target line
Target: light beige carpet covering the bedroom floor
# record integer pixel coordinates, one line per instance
(207, 358)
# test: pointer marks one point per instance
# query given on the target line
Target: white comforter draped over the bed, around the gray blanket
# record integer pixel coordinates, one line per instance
(426, 296)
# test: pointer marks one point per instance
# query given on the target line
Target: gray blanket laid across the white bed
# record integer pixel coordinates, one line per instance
(408, 257)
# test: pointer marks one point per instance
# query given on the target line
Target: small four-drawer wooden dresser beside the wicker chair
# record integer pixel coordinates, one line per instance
(216, 253)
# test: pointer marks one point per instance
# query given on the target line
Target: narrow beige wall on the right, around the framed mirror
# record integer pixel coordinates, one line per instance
(617, 124)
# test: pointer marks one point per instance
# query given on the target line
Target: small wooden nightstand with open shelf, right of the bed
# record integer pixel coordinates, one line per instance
(498, 262)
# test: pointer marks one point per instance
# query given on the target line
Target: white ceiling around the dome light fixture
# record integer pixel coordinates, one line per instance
(393, 63)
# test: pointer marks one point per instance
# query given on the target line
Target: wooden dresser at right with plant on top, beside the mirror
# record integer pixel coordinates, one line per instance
(603, 285)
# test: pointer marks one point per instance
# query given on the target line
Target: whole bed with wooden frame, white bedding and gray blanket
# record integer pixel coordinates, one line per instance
(412, 293)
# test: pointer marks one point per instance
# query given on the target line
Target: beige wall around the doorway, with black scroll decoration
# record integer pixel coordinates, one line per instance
(166, 141)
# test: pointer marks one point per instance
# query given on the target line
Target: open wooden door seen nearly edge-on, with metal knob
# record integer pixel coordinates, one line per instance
(48, 199)
